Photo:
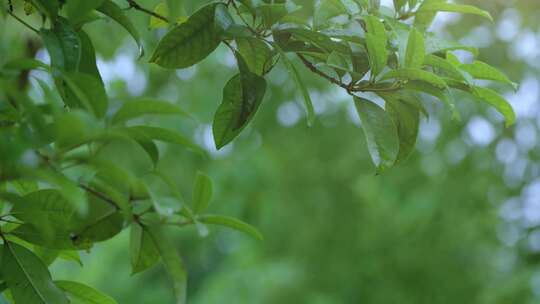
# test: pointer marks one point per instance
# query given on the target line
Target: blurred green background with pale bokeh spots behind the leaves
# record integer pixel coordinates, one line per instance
(459, 222)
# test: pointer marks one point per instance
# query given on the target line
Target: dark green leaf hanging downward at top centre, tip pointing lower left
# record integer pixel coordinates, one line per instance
(242, 97)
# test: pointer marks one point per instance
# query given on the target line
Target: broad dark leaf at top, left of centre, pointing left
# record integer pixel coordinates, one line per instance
(190, 42)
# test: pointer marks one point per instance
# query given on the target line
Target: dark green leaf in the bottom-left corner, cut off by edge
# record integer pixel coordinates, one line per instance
(28, 278)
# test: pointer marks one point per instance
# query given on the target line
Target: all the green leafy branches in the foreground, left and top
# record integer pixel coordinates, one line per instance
(357, 45)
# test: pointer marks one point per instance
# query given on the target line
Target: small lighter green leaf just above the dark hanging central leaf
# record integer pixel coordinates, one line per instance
(256, 53)
